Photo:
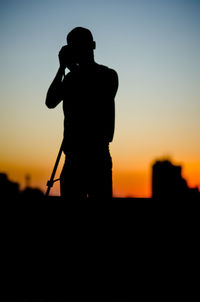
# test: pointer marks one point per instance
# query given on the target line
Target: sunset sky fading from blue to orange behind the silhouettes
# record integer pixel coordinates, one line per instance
(155, 48)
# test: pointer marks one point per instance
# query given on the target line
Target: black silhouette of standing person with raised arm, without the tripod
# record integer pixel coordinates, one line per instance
(87, 91)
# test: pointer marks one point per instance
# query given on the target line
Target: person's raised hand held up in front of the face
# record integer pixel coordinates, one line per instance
(66, 58)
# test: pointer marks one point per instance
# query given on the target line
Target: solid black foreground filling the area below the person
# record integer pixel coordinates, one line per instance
(128, 249)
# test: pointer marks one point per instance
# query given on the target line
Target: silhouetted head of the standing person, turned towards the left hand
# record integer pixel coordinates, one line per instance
(82, 44)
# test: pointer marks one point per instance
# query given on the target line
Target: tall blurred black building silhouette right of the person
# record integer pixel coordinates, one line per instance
(168, 183)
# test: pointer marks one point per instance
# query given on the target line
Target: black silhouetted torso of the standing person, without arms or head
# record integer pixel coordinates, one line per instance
(84, 104)
